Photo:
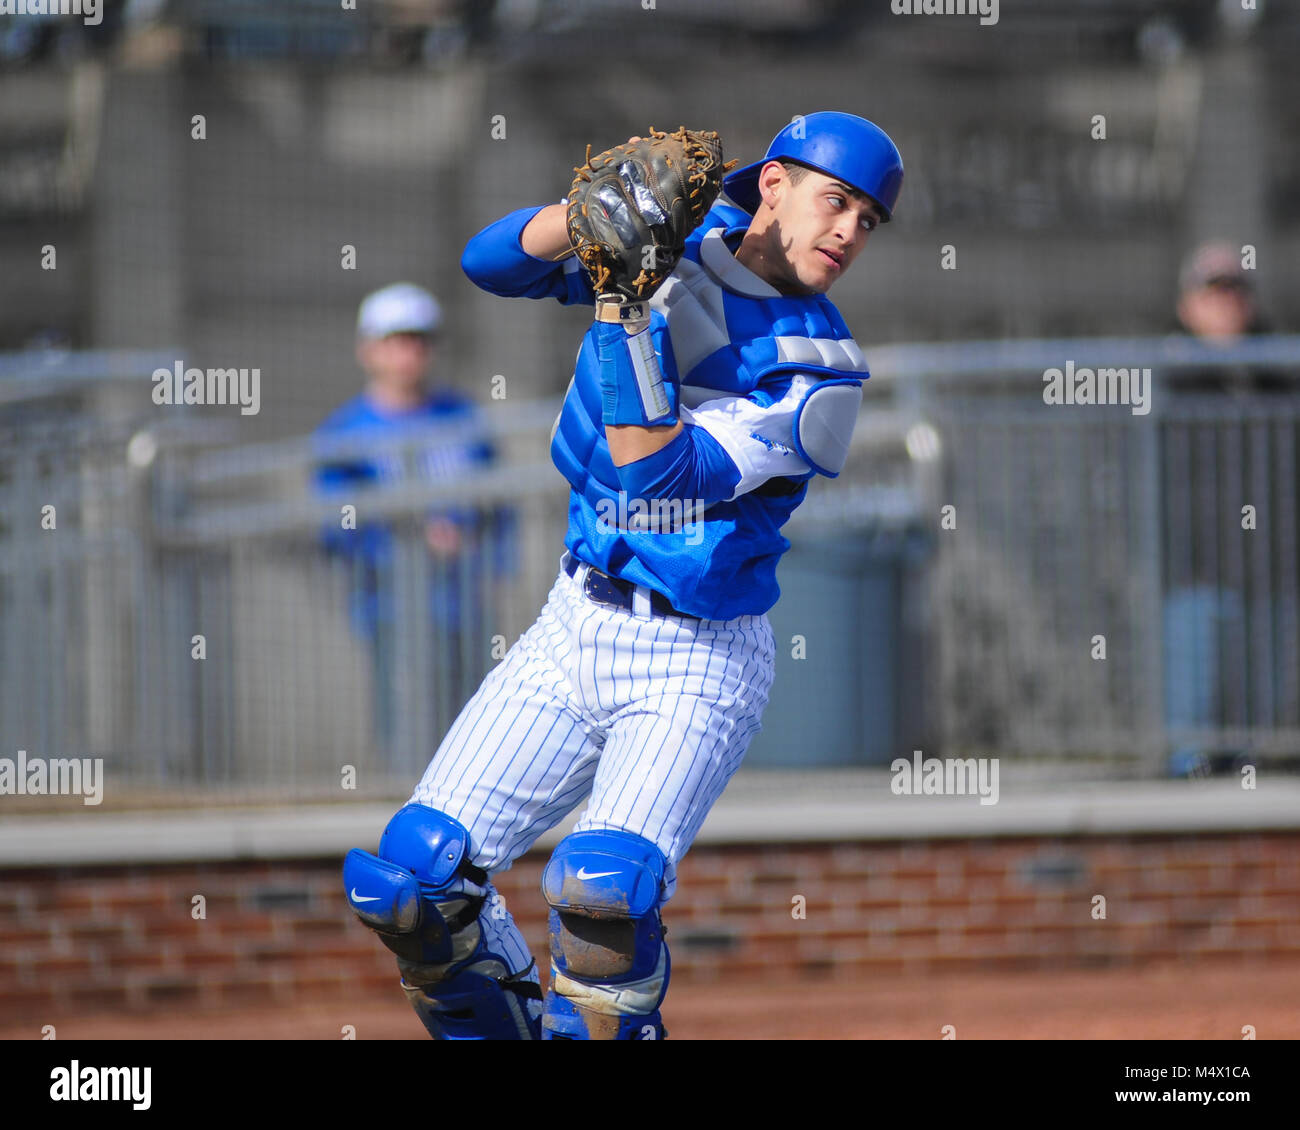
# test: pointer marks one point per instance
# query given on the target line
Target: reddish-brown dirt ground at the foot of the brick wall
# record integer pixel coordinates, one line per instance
(1199, 1002)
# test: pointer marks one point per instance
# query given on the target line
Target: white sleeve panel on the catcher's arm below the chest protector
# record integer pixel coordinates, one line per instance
(762, 439)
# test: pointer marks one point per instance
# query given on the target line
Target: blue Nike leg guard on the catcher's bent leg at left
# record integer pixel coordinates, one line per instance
(423, 897)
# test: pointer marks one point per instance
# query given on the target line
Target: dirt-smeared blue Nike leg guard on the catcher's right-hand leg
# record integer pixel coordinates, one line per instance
(609, 959)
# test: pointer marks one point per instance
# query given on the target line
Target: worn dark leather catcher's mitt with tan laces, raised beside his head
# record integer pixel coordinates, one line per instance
(632, 207)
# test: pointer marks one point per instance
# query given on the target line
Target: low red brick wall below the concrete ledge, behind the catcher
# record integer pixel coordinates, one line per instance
(85, 939)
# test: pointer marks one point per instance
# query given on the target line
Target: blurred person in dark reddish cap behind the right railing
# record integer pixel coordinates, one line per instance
(1217, 304)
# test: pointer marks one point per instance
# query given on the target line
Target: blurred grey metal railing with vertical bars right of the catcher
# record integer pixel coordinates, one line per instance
(1104, 594)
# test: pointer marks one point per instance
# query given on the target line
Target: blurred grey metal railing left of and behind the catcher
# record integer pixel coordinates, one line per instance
(200, 617)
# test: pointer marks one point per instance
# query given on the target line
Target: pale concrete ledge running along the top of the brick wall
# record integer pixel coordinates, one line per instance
(760, 807)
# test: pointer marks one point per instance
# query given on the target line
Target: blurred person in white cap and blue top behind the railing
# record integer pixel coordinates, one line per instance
(409, 432)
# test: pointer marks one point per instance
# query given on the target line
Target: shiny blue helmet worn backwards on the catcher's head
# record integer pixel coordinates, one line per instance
(839, 145)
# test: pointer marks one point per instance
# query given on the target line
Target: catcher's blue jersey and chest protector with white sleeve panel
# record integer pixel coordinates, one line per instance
(701, 521)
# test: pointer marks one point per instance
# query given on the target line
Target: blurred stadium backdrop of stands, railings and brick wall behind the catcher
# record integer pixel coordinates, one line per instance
(398, 131)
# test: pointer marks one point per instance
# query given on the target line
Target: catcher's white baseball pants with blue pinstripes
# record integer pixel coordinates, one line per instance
(651, 716)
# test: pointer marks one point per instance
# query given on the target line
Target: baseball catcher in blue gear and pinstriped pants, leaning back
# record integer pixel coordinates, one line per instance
(716, 383)
